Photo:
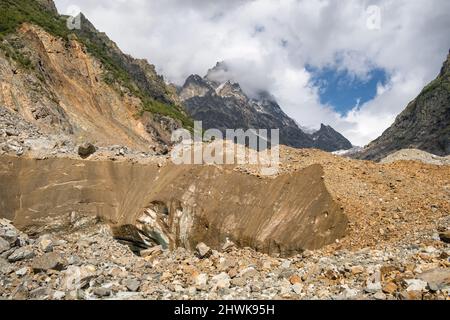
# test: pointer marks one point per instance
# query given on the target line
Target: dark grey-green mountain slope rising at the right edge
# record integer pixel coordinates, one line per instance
(423, 125)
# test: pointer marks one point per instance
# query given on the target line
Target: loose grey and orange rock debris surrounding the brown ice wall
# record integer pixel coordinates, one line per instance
(396, 244)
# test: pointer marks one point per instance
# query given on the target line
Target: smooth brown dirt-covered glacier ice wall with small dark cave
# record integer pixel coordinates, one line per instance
(175, 205)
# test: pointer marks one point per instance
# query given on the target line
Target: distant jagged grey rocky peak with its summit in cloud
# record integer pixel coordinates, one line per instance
(226, 106)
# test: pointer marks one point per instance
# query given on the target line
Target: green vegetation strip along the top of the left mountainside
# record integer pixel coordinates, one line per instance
(15, 12)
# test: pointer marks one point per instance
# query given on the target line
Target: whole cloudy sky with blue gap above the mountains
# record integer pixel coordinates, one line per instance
(354, 65)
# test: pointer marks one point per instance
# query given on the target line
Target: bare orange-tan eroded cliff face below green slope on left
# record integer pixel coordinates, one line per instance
(67, 94)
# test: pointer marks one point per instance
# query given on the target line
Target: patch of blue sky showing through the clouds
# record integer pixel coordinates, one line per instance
(344, 91)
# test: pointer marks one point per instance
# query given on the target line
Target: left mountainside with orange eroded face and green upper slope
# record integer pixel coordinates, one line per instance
(79, 83)
